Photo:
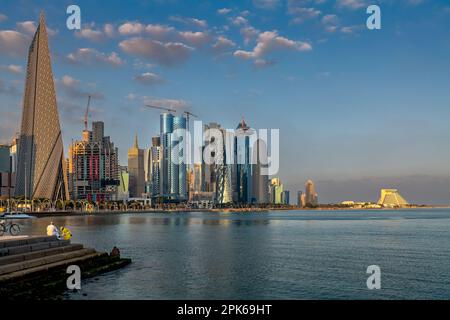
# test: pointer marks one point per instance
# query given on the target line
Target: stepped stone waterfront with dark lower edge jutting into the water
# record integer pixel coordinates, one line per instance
(36, 267)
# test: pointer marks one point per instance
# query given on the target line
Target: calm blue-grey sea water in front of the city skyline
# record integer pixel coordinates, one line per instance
(276, 255)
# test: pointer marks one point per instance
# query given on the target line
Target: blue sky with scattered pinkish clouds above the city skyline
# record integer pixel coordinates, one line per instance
(357, 109)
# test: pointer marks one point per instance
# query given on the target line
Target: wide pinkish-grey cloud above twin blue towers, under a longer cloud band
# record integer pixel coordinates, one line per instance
(168, 54)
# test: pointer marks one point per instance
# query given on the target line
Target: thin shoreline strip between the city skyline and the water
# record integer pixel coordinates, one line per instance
(229, 210)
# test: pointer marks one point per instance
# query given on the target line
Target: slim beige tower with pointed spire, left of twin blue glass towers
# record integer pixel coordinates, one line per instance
(136, 170)
